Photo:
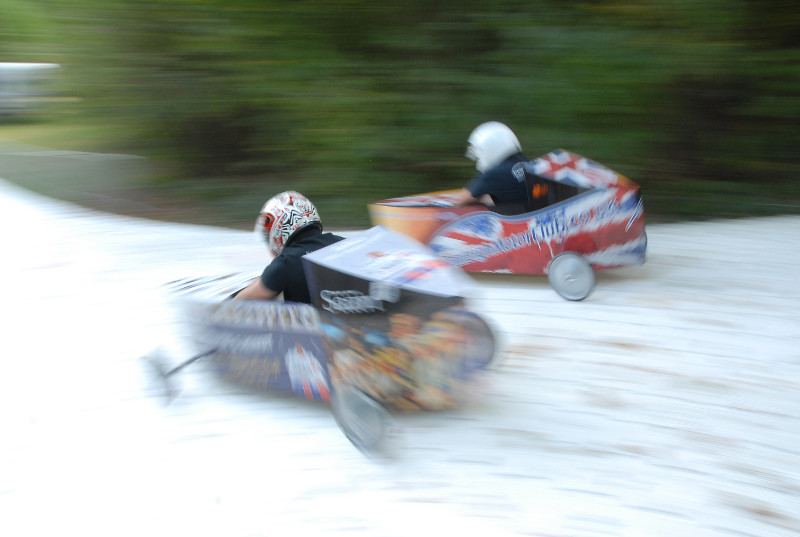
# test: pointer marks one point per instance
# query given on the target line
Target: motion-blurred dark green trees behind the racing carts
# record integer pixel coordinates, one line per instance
(351, 101)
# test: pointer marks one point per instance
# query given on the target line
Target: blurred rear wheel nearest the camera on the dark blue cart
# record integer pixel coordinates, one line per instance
(363, 420)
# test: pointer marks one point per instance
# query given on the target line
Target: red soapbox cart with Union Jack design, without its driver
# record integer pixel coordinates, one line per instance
(579, 216)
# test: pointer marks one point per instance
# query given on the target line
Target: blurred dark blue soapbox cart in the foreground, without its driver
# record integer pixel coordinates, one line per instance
(388, 332)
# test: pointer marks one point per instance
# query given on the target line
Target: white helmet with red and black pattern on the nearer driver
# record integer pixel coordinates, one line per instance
(283, 216)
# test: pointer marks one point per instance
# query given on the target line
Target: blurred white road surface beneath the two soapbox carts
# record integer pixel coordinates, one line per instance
(666, 404)
